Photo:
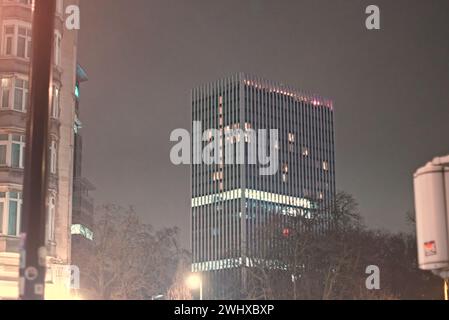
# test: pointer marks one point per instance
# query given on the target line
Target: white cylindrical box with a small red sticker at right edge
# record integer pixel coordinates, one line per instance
(431, 184)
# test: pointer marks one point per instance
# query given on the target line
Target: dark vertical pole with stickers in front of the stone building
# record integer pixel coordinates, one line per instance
(33, 250)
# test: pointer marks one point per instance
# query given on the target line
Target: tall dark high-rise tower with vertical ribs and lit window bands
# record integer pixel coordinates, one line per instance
(232, 202)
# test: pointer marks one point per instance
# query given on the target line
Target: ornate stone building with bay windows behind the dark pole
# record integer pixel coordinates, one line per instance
(15, 54)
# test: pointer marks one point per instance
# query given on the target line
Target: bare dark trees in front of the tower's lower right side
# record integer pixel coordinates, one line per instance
(331, 263)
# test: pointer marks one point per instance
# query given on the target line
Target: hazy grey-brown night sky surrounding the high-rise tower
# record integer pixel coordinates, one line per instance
(390, 89)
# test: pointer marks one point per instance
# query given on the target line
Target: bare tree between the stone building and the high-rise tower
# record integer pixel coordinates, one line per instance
(128, 259)
